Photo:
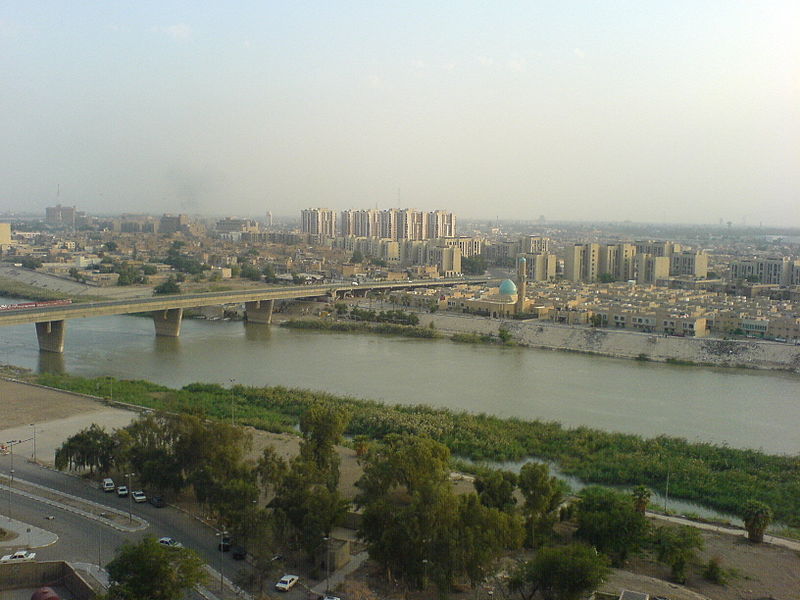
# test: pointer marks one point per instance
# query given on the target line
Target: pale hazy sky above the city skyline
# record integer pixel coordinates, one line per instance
(670, 110)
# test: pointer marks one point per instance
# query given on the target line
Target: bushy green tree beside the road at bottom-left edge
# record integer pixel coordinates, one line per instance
(147, 569)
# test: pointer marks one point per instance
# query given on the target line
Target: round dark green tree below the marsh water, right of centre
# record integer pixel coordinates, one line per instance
(608, 520)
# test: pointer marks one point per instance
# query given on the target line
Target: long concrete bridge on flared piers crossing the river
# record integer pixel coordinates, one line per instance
(167, 311)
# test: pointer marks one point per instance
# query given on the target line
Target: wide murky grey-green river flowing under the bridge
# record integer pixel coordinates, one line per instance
(750, 409)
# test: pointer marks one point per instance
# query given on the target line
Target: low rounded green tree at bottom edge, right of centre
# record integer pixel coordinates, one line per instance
(560, 573)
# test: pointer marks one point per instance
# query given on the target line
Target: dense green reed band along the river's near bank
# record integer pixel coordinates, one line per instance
(719, 477)
